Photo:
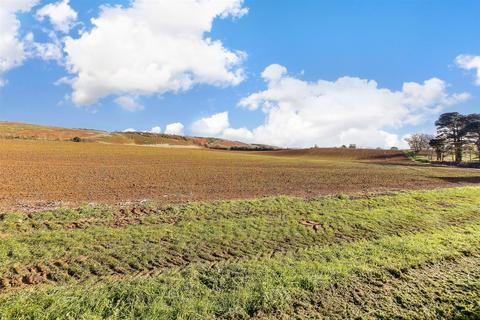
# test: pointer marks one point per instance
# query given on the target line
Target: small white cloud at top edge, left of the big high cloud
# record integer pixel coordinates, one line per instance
(60, 14)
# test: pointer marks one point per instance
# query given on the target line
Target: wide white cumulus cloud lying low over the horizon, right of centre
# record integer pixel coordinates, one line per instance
(330, 113)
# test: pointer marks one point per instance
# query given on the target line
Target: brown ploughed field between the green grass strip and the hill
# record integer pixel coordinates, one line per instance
(43, 172)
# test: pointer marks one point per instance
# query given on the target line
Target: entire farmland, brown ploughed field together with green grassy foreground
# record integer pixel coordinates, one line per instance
(113, 231)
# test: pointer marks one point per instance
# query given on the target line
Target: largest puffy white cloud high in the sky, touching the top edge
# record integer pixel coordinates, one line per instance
(152, 47)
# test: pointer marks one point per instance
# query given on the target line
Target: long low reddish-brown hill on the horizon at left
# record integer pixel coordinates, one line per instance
(17, 130)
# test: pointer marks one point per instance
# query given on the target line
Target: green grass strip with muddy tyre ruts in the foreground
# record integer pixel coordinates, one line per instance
(368, 257)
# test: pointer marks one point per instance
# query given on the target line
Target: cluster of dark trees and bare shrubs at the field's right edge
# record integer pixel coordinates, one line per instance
(456, 133)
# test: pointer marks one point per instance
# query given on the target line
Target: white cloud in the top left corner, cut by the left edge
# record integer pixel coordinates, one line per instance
(12, 47)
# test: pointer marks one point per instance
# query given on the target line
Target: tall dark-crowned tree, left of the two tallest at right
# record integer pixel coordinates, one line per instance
(451, 127)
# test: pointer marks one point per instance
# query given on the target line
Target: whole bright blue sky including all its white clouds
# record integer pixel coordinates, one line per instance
(286, 73)
